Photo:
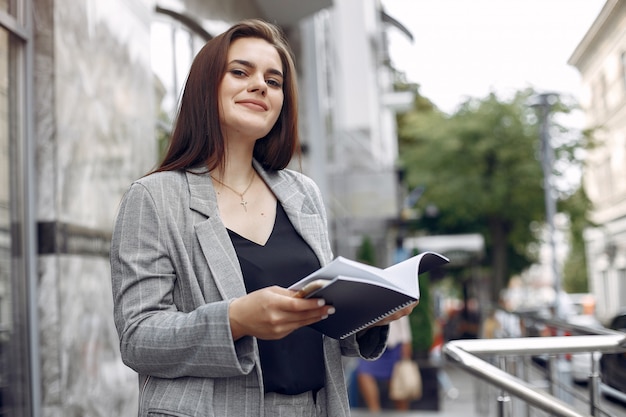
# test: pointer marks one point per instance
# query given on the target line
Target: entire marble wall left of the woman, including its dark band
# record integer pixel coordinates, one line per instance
(94, 129)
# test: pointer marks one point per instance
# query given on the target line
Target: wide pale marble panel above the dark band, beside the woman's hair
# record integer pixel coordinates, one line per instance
(104, 106)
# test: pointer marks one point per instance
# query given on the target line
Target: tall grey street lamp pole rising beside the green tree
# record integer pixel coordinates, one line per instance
(544, 105)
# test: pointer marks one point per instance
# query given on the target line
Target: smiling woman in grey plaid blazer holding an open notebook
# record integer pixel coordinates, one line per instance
(205, 246)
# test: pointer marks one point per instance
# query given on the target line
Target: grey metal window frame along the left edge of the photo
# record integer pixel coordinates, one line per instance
(26, 394)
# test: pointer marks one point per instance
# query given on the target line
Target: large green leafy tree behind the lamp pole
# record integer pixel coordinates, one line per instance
(480, 167)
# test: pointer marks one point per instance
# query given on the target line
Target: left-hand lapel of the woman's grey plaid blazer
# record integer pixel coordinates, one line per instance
(216, 245)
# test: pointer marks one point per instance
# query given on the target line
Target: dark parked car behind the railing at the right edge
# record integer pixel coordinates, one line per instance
(613, 365)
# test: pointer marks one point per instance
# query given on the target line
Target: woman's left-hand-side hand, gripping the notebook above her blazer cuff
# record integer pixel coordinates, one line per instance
(273, 312)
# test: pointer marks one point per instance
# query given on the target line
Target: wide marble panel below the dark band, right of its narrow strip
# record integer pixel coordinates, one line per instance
(94, 380)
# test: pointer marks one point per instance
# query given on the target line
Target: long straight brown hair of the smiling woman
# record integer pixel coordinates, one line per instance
(197, 139)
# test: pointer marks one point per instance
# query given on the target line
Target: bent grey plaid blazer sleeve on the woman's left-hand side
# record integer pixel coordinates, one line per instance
(155, 337)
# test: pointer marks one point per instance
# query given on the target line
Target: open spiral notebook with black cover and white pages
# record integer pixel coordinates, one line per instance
(363, 294)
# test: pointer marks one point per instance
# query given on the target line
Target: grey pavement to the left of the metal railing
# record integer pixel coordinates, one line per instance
(463, 400)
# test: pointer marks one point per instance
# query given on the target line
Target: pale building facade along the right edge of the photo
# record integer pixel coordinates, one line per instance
(601, 60)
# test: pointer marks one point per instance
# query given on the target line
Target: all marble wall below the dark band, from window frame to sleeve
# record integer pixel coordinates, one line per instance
(82, 372)
